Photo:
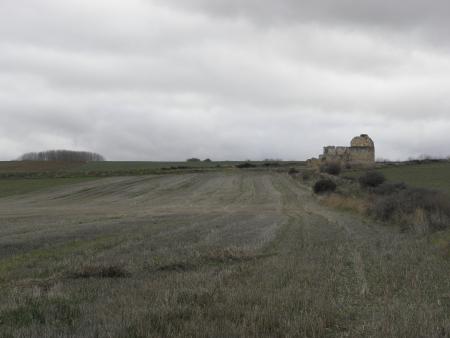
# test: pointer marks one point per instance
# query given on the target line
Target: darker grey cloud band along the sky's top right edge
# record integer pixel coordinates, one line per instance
(412, 13)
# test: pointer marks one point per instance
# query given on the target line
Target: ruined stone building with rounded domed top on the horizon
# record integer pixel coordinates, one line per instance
(360, 153)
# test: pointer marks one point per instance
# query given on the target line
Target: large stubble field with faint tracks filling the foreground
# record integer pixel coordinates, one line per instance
(223, 253)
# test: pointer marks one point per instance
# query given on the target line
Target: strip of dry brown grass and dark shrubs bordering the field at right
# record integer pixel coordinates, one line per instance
(418, 209)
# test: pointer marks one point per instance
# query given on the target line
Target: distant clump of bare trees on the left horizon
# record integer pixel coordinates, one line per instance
(62, 155)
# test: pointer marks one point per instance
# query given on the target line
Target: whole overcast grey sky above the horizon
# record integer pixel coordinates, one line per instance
(225, 79)
